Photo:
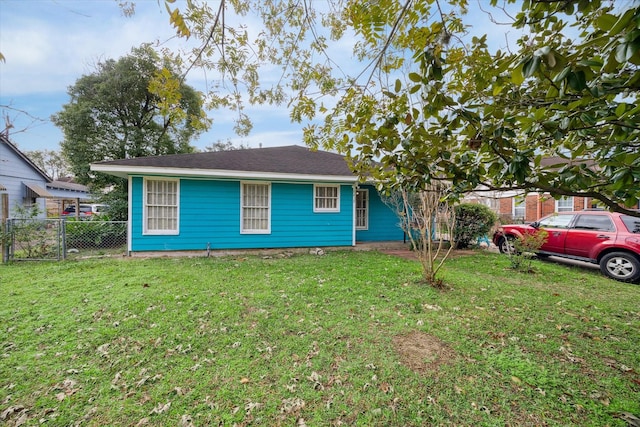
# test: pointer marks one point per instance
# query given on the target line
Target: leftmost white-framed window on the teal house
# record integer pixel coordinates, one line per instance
(161, 206)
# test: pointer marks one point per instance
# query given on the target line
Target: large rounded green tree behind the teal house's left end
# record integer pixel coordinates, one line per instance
(133, 107)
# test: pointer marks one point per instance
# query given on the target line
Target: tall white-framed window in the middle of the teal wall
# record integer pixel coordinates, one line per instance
(255, 209)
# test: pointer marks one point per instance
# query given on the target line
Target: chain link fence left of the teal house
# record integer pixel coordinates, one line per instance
(57, 239)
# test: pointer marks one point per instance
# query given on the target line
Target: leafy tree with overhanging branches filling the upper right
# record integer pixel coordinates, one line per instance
(433, 101)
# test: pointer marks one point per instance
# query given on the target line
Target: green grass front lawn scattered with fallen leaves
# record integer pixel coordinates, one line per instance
(348, 338)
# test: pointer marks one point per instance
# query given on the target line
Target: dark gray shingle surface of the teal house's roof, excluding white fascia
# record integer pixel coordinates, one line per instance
(288, 160)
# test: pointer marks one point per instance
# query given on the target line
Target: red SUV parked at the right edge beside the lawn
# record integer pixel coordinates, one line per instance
(609, 239)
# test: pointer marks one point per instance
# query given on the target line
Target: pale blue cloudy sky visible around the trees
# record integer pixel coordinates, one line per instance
(49, 44)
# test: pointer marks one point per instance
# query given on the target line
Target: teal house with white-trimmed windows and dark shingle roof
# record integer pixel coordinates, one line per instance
(279, 197)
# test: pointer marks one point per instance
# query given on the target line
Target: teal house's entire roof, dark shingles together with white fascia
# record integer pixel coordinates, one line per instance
(290, 162)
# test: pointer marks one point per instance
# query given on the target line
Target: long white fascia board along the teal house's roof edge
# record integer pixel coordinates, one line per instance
(124, 171)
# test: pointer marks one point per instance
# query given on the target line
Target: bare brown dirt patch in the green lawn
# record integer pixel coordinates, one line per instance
(421, 352)
